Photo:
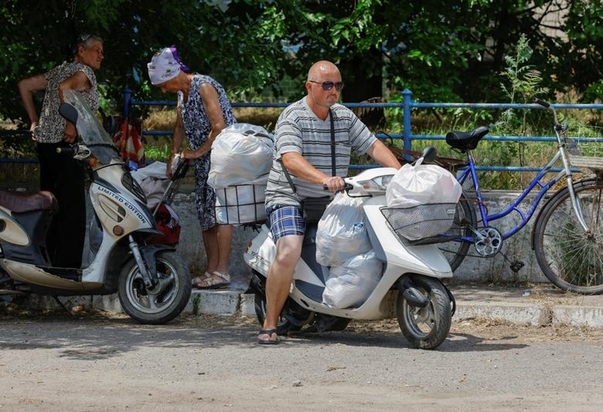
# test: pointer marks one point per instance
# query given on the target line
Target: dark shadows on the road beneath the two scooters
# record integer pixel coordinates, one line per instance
(93, 336)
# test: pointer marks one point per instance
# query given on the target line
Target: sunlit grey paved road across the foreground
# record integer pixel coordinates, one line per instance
(95, 363)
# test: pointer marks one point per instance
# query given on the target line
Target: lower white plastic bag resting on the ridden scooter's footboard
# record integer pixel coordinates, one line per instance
(350, 284)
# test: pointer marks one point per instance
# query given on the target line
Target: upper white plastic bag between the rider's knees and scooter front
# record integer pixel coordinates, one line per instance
(341, 232)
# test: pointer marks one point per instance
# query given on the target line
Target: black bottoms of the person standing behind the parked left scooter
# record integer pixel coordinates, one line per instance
(65, 178)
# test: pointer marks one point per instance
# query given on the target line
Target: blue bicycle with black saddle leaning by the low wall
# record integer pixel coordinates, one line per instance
(567, 237)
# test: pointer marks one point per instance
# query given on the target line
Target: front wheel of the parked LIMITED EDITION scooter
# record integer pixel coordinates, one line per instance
(166, 300)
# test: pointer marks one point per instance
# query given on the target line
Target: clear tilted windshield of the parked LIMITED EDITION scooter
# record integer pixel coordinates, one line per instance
(90, 130)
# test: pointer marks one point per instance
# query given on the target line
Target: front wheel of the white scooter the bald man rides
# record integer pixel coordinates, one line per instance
(426, 327)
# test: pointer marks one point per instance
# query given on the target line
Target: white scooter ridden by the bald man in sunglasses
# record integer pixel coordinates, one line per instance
(410, 287)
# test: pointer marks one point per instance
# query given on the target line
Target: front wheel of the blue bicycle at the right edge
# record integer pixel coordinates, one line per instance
(568, 256)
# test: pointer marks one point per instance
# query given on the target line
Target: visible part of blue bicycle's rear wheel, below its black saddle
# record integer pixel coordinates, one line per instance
(455, 250)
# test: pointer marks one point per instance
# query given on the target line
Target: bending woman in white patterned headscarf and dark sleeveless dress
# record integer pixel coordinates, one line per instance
(203, 112)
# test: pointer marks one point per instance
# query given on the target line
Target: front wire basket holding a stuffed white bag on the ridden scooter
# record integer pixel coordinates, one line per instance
(421, 203)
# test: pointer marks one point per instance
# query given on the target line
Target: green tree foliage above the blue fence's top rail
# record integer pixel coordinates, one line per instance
(440, 50)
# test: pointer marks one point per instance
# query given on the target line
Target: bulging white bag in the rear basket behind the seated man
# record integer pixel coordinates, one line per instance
(241, 152)
